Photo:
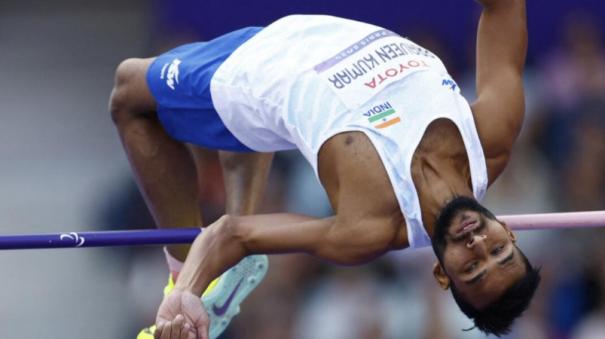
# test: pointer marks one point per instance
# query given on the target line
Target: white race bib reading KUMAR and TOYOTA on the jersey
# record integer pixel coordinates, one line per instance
(363, 69)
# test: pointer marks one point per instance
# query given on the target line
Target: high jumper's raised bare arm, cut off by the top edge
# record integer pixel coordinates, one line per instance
(500, 104)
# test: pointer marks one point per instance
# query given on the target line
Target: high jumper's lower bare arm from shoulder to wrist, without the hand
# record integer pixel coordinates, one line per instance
(231, 238)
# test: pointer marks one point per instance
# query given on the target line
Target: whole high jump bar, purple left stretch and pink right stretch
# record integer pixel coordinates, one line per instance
(522, 222)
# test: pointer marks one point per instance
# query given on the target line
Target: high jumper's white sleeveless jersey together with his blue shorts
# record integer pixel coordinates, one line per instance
(305, 78)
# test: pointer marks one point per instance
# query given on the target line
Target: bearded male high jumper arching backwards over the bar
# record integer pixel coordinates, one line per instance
(401, 154)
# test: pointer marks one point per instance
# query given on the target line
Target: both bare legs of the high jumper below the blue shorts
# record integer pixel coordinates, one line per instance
(165, 169)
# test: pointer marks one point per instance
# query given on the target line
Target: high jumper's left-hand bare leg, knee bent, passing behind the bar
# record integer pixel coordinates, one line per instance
(163, 167)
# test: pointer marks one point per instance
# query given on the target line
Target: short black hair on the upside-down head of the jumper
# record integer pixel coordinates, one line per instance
(498, 317)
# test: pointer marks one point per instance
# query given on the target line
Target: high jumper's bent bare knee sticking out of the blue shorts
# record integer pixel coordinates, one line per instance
(130, 95)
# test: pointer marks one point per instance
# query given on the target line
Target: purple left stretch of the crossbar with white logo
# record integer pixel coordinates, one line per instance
(99, 239)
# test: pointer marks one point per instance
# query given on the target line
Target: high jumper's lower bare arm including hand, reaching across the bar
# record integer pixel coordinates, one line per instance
(224, 243)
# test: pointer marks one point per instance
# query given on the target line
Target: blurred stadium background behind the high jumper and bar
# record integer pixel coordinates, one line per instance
(62, 169)
